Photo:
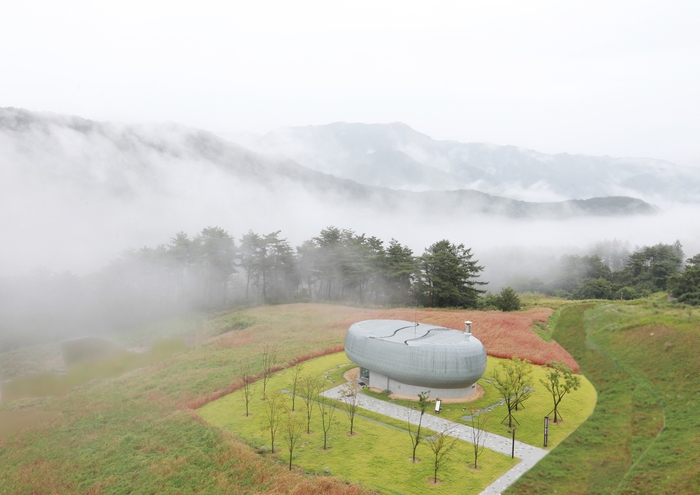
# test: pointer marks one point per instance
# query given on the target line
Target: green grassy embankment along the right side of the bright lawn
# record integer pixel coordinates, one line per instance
(644, 434)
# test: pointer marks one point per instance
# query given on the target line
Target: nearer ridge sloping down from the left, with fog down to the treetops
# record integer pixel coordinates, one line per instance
(74, 193)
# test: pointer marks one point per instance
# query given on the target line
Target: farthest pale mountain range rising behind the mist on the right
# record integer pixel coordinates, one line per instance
(396, 156)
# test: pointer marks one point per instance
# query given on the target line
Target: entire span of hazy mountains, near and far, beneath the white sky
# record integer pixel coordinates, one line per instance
(373, 168)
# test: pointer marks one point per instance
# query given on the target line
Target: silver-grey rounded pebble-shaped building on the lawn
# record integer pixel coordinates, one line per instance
(408, 358)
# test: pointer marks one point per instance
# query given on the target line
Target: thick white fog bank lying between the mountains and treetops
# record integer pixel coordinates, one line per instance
(75, 194)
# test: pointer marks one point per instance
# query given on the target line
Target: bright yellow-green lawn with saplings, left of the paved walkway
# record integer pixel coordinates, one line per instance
(377, 455)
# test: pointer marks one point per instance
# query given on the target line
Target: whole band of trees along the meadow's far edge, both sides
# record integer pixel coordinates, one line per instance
(212, 270)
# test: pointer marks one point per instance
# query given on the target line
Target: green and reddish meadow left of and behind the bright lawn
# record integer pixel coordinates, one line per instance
(138, 432)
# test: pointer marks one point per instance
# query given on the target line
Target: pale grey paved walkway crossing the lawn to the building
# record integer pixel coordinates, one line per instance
(528, 455)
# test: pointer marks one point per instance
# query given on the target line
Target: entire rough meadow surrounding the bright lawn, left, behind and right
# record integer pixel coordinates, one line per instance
(139, 433)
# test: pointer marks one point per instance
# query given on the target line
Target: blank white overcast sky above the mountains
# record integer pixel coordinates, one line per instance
(615, 78)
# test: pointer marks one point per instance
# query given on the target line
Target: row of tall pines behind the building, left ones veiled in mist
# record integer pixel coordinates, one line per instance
(211, 269)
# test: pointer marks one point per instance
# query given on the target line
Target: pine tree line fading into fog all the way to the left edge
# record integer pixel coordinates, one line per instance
(213, 269)
